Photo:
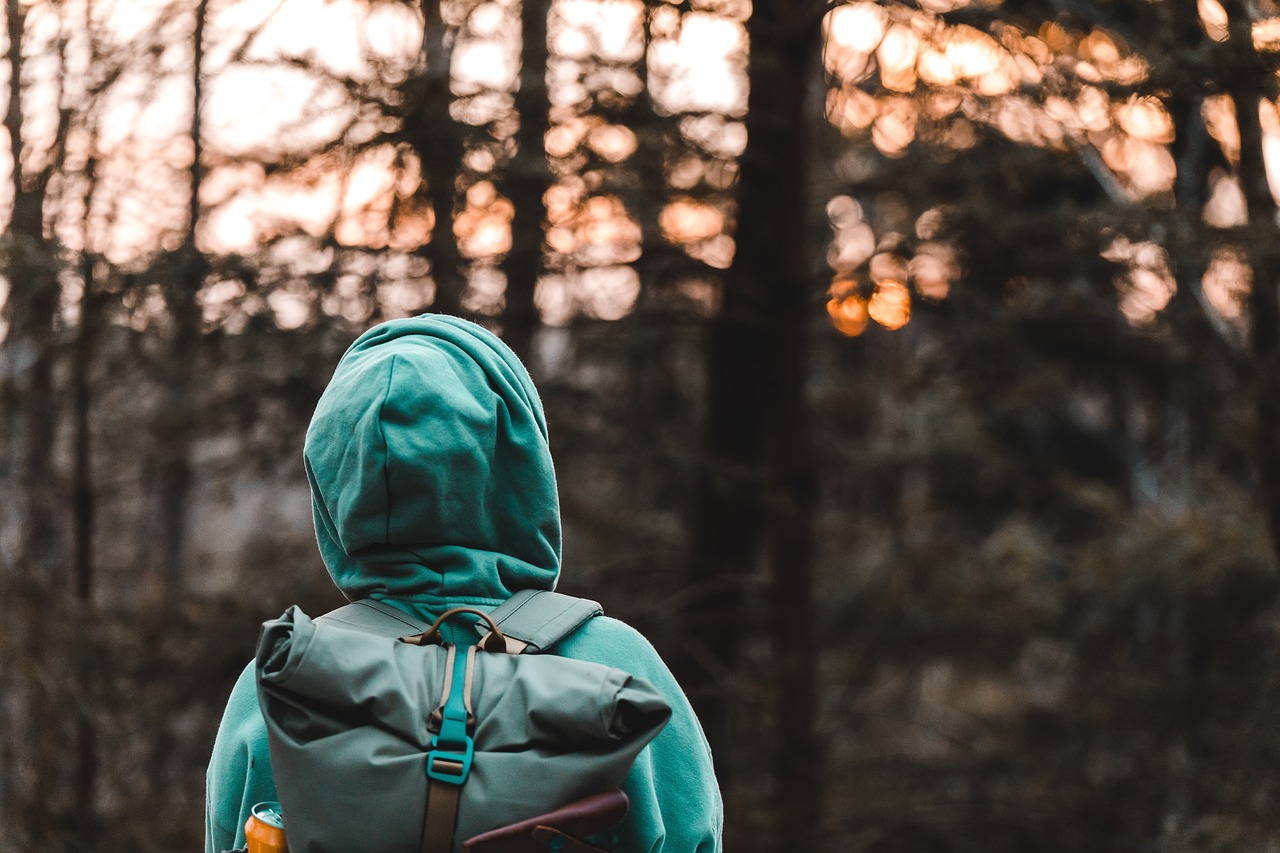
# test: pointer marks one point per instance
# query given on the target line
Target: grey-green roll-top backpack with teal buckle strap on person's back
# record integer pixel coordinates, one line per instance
(386, 740)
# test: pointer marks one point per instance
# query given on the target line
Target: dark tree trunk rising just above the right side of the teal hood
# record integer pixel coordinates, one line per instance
(527, 183)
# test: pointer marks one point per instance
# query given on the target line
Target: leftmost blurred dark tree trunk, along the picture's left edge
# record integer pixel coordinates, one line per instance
(38, 567)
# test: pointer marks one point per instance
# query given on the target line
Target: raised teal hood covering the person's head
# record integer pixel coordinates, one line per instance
(431, 473)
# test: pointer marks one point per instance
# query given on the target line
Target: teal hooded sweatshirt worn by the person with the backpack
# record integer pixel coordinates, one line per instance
(432, 487)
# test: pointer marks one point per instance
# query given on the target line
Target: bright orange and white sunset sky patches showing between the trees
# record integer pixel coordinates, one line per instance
(291, 136)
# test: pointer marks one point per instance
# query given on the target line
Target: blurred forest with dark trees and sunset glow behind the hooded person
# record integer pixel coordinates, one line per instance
(913, 373)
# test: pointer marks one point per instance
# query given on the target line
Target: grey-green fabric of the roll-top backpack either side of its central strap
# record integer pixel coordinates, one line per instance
(349, 728)
